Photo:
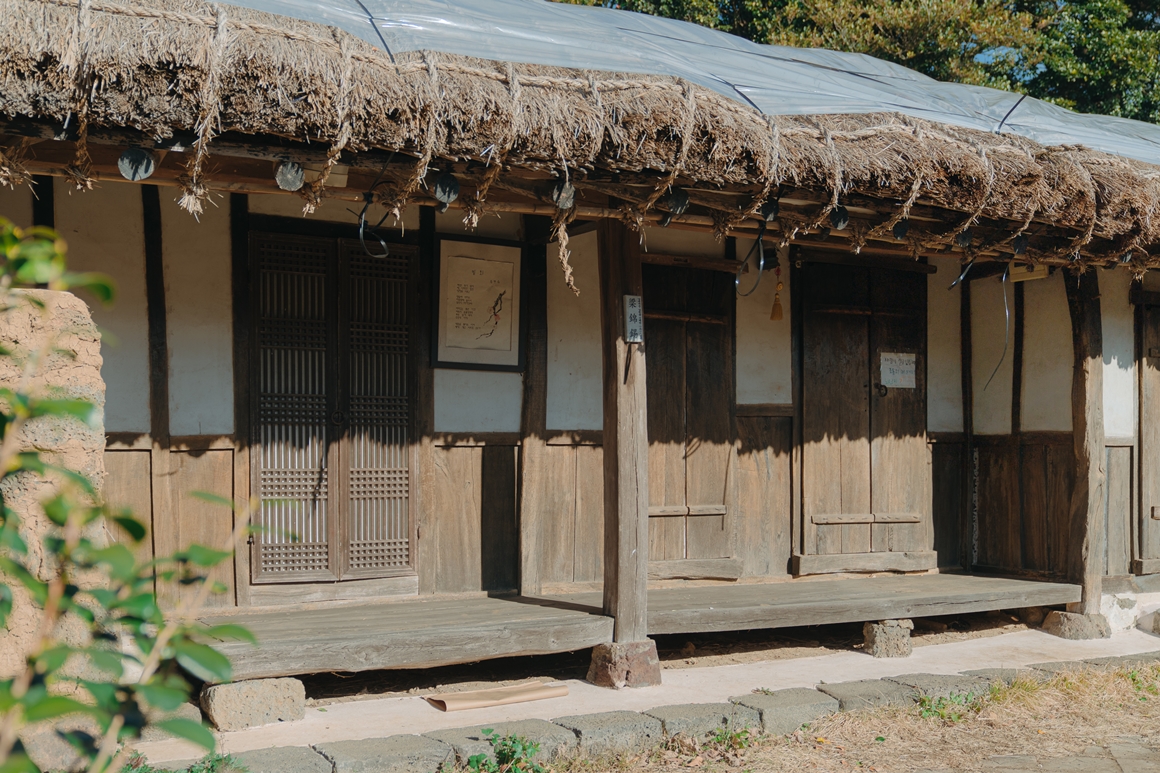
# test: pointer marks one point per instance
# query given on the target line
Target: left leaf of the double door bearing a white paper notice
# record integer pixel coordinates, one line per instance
(836, 430)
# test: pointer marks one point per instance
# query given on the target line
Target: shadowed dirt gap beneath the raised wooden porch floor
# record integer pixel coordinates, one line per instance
(684, 652)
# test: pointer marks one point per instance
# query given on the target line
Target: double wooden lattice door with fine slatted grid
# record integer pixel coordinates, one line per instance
(331, 410)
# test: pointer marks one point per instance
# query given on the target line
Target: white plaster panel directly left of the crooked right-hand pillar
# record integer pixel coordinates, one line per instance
(1047, 357)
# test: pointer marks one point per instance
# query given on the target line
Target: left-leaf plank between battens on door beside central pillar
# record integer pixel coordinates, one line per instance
(665, 356)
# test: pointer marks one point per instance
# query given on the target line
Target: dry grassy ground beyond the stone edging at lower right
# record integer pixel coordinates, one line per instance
(1068, 724)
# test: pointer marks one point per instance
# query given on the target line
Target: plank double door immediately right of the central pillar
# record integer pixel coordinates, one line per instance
(690, 355)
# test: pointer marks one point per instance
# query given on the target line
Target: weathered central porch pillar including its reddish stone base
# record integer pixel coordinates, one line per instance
(632, 659)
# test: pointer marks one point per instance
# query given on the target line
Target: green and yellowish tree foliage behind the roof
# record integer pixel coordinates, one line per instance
(1093, 56)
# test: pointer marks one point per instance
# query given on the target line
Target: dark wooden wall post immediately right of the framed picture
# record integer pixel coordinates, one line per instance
(534, 415)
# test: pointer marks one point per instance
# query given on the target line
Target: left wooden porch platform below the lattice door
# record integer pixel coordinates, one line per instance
(416, 634)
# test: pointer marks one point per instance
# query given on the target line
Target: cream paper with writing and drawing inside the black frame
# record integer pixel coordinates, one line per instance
(478, 314)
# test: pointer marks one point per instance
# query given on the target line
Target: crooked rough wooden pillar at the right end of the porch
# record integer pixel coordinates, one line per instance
(1087, 510)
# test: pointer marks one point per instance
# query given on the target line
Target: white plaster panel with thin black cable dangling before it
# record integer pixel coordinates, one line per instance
(992, 410)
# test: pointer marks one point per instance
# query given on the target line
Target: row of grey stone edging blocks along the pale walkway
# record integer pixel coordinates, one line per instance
(775, 713)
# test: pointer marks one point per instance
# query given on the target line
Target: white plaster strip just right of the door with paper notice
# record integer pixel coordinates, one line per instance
(945, 349)
